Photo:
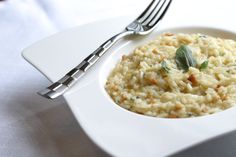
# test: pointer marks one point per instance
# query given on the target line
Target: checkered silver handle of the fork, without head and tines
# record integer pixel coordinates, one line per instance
(61, 86)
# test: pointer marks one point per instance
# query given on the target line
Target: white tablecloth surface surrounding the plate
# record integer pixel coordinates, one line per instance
(32, 126)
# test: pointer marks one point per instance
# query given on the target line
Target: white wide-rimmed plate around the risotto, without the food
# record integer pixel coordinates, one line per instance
(116, 130)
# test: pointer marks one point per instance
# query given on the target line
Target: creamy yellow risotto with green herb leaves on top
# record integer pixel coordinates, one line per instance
(176, 76)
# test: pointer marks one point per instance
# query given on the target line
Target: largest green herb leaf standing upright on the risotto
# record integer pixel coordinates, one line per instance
(184, 58)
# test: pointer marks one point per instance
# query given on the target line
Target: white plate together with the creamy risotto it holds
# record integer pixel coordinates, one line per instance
(148, 96)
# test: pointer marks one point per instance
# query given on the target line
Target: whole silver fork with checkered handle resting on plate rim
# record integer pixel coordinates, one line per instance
(143, 25)
